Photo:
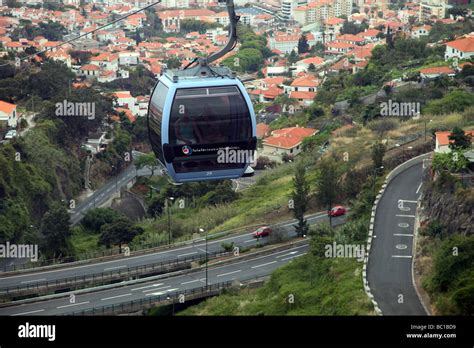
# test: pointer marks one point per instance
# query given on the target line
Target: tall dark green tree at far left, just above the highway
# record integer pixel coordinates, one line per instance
(56, 231)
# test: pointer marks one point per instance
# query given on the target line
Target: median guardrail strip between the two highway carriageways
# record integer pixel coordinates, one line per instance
(107, 277)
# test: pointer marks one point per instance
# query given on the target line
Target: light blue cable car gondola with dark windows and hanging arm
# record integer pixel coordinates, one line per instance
(197, 113)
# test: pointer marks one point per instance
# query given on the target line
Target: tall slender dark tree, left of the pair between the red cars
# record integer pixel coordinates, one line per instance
(300, 199)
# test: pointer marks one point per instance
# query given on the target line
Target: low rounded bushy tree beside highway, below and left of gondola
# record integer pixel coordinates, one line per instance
(118, 232)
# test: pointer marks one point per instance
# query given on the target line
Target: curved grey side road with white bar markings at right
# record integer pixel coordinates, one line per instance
(389, 270)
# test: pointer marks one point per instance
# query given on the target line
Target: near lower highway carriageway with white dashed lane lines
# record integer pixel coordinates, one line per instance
(242, 270)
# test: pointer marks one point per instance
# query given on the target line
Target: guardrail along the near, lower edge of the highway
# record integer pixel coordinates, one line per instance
(136, 305)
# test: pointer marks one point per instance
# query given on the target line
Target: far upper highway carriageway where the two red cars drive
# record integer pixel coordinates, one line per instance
(192, 249)
